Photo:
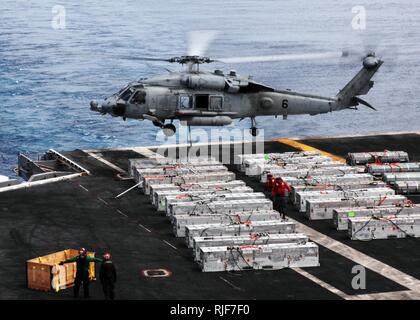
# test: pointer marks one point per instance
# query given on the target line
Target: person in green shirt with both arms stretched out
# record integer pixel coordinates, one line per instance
(82, 271)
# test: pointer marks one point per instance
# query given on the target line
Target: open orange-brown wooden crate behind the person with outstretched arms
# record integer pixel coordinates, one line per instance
(44, 273)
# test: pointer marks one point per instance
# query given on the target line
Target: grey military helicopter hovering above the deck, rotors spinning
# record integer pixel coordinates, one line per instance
(214, 98)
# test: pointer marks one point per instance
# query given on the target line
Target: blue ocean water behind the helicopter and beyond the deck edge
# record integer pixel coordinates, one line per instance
(48, 76)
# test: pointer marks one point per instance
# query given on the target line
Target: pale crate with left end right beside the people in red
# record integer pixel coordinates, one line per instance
(302, 196)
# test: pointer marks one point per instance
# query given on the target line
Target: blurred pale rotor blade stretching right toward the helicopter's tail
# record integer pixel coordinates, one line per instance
(285, 57)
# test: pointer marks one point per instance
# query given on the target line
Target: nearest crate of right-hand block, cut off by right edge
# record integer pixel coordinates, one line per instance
(365, 228)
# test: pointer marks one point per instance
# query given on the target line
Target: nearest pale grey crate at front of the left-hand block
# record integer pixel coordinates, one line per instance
(262, 257)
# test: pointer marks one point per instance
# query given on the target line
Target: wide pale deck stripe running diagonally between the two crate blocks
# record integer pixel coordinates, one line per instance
(358, 257)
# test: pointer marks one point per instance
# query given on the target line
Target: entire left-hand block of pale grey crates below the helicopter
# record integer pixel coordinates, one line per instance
(227, 225)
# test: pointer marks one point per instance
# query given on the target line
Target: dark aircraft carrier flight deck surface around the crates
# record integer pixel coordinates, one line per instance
(84, 211)
